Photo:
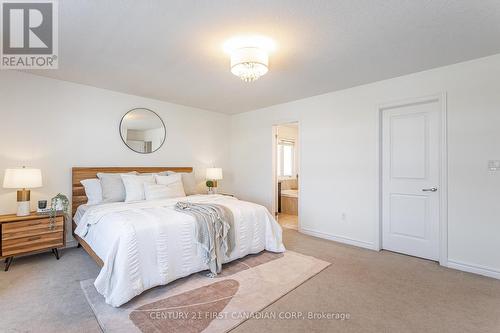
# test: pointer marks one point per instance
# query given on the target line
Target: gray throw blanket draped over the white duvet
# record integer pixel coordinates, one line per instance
(214, 231)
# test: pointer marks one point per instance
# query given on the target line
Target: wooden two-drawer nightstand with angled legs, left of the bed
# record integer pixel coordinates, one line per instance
(29, 234)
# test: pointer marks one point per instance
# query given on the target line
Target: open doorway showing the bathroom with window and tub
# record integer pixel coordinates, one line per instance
(286, 174)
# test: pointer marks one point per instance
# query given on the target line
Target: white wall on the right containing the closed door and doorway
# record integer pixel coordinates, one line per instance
(339, 158)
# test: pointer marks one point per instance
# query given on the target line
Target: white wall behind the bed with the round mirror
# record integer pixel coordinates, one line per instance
(55, 125)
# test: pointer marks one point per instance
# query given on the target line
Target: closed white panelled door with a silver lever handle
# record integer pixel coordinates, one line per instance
(411, 178)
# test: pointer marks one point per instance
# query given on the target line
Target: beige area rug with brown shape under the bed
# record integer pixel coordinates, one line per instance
(198, 303)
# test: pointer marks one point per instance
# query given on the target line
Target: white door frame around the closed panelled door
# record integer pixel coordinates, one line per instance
(443, 172)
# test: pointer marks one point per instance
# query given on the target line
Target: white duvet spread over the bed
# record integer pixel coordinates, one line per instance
(147, 243)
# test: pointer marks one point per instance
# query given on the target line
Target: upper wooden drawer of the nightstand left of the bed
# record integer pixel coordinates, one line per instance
(31, 228)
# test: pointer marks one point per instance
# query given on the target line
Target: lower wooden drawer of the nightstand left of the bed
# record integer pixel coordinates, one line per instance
(32, 243)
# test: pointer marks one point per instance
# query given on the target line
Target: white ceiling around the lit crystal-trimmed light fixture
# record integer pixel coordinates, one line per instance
(172, 50)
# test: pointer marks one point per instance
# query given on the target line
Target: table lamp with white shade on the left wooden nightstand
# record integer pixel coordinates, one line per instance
(23, 179)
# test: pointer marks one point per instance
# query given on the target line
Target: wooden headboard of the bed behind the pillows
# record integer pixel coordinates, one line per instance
(78, 174)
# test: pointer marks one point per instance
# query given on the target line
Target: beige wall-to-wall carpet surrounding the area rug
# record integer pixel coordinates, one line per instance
(383, 292)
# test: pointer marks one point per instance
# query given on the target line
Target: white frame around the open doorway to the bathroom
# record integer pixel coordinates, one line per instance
(274, 205)
